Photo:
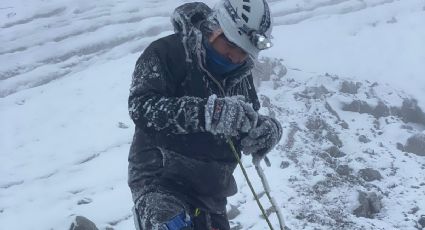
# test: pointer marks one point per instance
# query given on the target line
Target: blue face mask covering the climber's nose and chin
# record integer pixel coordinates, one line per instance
(217, 63)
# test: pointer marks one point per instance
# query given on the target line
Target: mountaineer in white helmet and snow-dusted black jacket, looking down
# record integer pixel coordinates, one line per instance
(191, 91)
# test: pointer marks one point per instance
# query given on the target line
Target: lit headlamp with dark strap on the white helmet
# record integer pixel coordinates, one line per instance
(257, 37)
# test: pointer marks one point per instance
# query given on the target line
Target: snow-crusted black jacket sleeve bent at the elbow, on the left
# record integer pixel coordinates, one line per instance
(152, 103)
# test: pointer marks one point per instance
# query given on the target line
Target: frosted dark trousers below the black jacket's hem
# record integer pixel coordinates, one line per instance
(155, 209)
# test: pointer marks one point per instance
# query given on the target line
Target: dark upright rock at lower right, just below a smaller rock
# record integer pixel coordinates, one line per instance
(370, 204)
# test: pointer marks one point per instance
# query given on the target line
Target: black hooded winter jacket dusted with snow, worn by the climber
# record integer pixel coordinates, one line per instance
(171, 149)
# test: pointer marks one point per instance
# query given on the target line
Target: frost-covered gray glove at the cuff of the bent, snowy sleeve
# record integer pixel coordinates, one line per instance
(229, 115)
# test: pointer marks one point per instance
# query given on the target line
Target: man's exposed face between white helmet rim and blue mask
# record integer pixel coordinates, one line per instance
(227, 48)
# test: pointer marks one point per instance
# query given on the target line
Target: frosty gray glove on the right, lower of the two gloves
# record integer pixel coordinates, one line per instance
(263, 138)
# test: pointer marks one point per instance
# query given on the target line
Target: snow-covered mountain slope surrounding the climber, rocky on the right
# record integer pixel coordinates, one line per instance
(65, 132)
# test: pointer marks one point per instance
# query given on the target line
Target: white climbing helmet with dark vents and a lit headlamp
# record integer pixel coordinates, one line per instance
(247, 23)
